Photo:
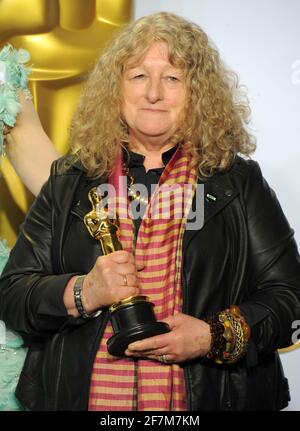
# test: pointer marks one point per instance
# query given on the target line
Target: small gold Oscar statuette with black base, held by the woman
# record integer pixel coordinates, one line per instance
(132, 318)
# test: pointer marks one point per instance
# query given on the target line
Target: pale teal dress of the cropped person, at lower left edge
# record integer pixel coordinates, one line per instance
(12, 355)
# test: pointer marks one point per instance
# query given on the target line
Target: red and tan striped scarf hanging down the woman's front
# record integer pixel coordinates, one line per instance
(122, 383)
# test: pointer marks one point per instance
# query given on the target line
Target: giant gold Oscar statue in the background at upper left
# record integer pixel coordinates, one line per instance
(64, 37)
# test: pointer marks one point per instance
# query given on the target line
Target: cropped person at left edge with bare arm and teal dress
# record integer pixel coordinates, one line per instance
(31, 153)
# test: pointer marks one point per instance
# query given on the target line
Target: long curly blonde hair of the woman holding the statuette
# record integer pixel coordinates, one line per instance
(217, 111)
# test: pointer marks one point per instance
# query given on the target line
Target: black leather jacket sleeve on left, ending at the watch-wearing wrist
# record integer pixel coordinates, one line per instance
(31, 295)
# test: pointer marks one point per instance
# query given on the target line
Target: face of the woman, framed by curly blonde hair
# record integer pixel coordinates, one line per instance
(154, 95)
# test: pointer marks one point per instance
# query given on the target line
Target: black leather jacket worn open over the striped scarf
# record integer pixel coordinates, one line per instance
(244, 254)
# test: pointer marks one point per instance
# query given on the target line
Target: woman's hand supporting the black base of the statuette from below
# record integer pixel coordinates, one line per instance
(189, 338)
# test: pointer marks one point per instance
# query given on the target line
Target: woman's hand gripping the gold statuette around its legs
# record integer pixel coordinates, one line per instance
(113, 278)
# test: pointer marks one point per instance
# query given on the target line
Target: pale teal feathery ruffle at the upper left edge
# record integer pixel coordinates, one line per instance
(13, 76)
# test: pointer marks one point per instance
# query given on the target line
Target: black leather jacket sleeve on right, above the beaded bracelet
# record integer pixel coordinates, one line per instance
(273, 265)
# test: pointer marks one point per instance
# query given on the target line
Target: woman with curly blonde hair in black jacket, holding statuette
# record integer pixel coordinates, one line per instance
(160, 108)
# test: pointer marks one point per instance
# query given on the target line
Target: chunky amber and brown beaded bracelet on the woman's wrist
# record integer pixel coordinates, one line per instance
(230, 335)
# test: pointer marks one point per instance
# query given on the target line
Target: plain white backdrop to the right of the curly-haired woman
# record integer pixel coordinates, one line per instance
(260, 40)
